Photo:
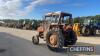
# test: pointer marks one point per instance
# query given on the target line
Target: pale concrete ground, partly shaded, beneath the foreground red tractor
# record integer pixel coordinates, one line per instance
(16, 42)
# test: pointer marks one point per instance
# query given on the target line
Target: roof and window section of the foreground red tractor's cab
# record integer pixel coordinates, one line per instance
(58, 17)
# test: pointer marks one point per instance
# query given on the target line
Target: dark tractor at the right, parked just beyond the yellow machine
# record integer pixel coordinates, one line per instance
(90, 26)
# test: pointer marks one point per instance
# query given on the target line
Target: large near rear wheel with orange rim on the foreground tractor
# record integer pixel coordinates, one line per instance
(54, 40)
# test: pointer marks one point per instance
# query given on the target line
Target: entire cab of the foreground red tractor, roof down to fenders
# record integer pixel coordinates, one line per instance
(58, 19)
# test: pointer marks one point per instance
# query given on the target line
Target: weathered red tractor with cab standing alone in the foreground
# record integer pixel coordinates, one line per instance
(56, 31)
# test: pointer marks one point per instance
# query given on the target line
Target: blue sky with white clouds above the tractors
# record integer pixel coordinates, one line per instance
(36, 9)
